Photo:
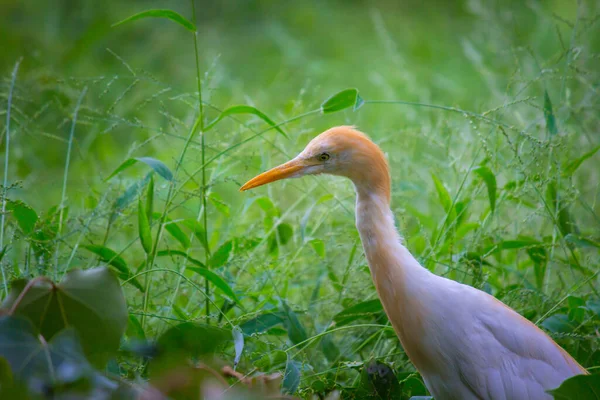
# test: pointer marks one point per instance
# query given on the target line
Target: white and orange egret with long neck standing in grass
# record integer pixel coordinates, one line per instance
(465, 343)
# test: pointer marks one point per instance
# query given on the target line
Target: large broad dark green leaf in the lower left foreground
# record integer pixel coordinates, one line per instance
(90, 301)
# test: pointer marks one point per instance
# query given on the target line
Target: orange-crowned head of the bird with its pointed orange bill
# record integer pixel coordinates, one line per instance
(343, 151)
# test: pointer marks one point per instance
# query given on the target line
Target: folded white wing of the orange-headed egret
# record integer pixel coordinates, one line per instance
(508, 357)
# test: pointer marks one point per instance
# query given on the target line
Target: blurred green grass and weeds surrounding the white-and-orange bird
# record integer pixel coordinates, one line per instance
(488, 113)
